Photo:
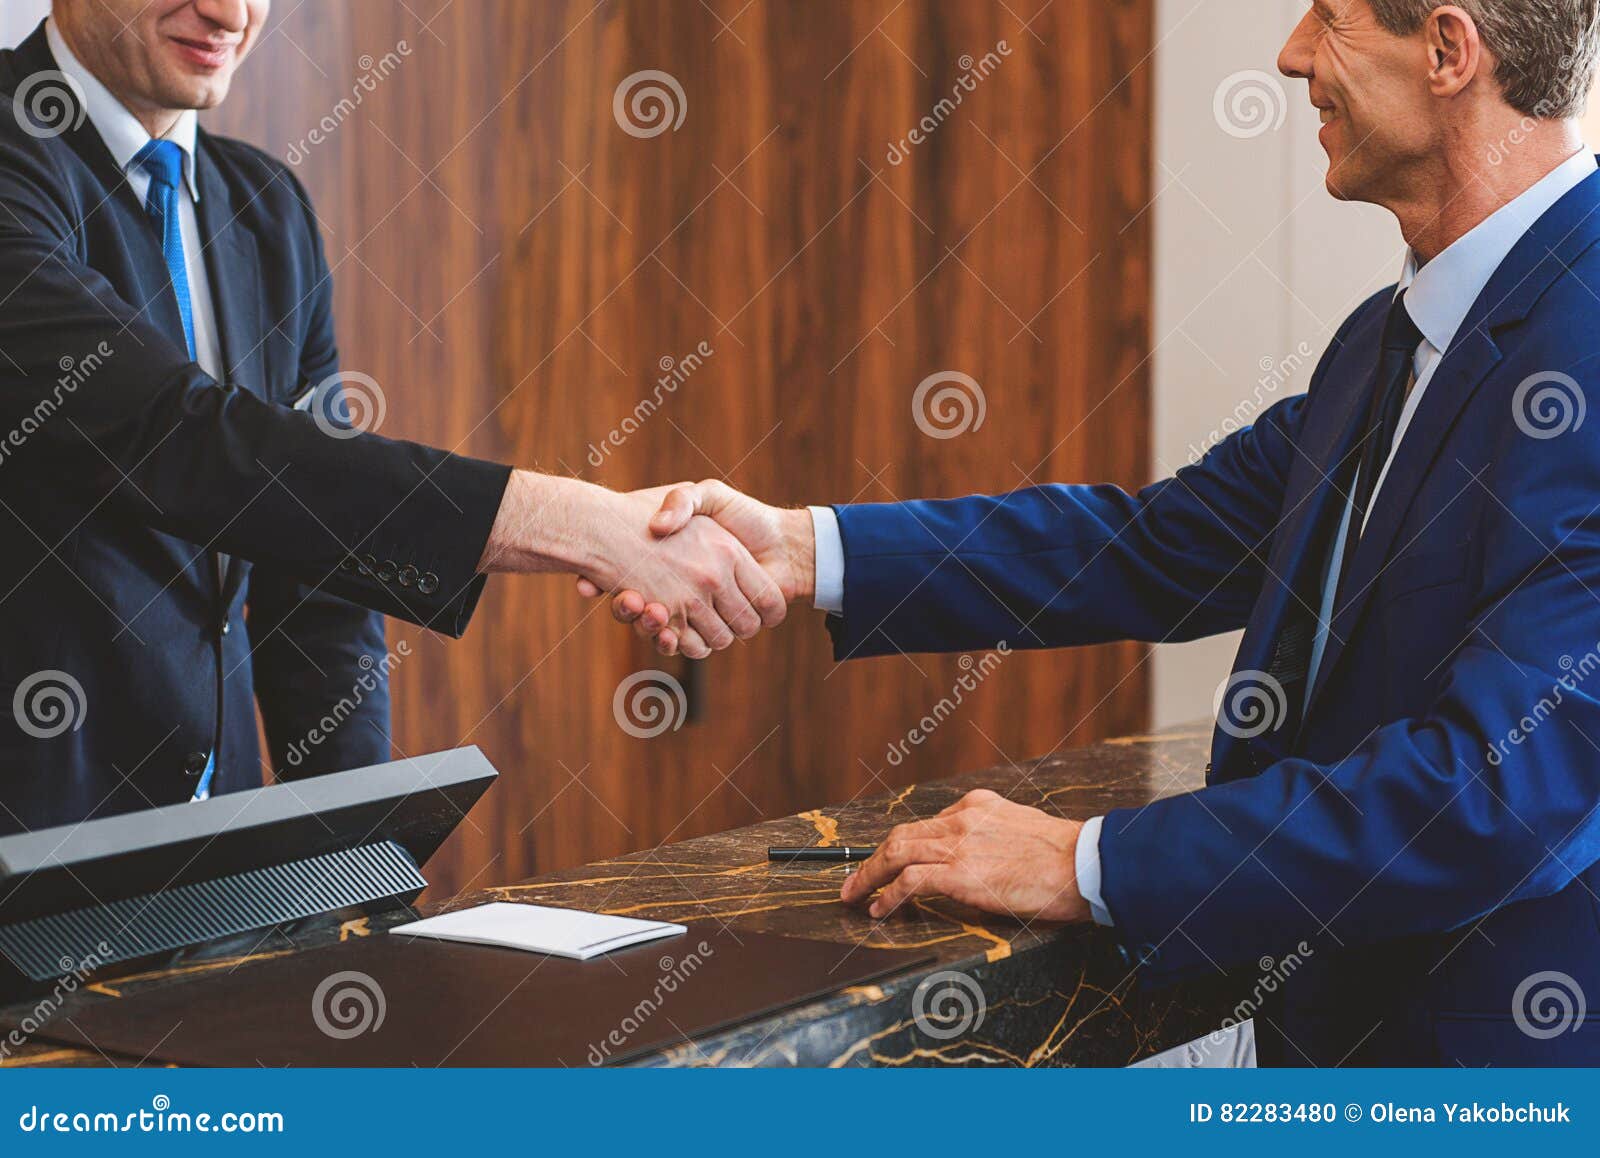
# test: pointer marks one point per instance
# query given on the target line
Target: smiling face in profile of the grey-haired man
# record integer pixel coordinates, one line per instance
(1372, 90)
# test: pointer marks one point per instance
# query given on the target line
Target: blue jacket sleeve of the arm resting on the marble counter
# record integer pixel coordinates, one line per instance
(1487, 799)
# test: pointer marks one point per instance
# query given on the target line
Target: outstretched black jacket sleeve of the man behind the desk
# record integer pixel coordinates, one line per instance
(138, 426)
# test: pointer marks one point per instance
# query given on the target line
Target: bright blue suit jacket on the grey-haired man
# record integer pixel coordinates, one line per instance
(1430, 831)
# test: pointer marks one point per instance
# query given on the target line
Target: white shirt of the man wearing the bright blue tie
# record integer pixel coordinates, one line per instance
(126, 137)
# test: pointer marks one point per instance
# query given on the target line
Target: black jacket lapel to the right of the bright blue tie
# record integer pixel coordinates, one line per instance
(234, 271)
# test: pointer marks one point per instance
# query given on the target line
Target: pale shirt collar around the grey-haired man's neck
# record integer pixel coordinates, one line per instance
(1442, 293)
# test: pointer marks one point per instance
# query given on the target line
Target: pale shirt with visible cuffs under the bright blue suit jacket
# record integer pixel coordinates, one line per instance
(1439, 298)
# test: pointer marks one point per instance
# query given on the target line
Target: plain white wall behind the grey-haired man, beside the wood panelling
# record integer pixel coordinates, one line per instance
(1252, 258)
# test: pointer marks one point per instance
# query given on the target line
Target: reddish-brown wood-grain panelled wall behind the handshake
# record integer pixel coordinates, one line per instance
(513, 268)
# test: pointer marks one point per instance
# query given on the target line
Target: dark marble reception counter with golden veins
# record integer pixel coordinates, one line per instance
(1026, 994)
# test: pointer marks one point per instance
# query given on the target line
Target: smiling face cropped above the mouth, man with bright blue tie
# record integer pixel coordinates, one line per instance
(162, 55)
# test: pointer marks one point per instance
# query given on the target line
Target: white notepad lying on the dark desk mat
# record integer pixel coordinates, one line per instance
(540, 930)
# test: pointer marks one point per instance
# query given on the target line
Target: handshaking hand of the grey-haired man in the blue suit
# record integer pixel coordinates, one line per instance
(782, 541)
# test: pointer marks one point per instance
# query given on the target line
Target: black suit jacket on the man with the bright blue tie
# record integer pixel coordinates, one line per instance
(124, 468)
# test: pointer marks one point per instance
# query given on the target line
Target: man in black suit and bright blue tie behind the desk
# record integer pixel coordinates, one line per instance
(191, 524)
